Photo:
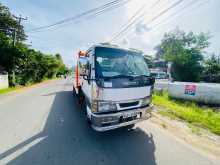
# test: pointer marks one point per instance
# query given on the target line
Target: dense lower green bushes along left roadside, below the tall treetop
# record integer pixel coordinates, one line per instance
(29, 66)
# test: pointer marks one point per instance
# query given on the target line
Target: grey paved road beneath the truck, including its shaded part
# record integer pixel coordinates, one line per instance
(45, 126)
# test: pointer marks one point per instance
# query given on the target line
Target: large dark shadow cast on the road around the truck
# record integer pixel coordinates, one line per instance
(69, 140)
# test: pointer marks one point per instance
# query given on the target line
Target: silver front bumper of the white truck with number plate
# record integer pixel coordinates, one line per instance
(105, 122)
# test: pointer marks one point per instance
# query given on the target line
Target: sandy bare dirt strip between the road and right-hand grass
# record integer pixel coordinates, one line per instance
(199, 138)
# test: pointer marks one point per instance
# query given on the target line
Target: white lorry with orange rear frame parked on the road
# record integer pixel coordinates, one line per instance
(115, 85)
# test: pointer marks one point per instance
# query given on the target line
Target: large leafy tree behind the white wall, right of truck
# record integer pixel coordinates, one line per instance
(184, 50)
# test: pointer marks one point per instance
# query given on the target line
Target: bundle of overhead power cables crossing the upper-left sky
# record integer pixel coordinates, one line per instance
(78, 16)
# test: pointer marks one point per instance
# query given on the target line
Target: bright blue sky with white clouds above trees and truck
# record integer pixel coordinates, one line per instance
(69, 38)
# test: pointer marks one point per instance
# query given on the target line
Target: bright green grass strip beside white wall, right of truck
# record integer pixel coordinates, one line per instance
(190, 112)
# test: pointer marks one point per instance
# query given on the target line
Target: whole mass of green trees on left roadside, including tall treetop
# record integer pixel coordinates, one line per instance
(28, 66)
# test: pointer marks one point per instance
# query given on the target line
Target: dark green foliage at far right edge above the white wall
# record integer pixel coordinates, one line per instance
(212, 69)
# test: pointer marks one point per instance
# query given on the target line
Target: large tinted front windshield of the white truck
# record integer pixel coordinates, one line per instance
(119, 63)
